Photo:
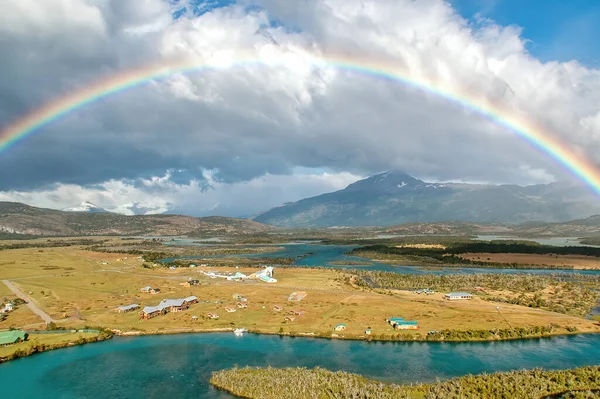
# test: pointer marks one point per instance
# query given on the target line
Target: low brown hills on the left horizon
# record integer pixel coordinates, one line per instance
(17, 218)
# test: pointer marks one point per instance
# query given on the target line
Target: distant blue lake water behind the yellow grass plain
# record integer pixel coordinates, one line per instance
(324, 255)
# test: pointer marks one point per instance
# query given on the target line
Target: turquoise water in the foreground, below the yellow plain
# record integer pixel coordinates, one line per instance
(179, 366)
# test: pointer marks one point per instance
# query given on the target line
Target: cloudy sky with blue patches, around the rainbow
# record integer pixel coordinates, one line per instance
(239, 140)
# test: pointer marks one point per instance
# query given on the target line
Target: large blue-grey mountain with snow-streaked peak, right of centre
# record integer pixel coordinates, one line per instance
(393, 198)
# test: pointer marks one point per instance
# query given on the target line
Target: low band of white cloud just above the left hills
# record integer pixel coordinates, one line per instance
(160, 194)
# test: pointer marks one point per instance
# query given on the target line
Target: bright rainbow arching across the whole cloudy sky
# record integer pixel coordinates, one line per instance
(508, 118)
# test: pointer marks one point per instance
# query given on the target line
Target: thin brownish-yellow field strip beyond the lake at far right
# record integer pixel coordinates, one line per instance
(580, 262)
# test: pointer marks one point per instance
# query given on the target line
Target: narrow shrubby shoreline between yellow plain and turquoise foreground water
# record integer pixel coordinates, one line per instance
(118, 333)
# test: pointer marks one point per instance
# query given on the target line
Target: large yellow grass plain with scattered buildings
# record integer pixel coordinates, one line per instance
(75, 288)
